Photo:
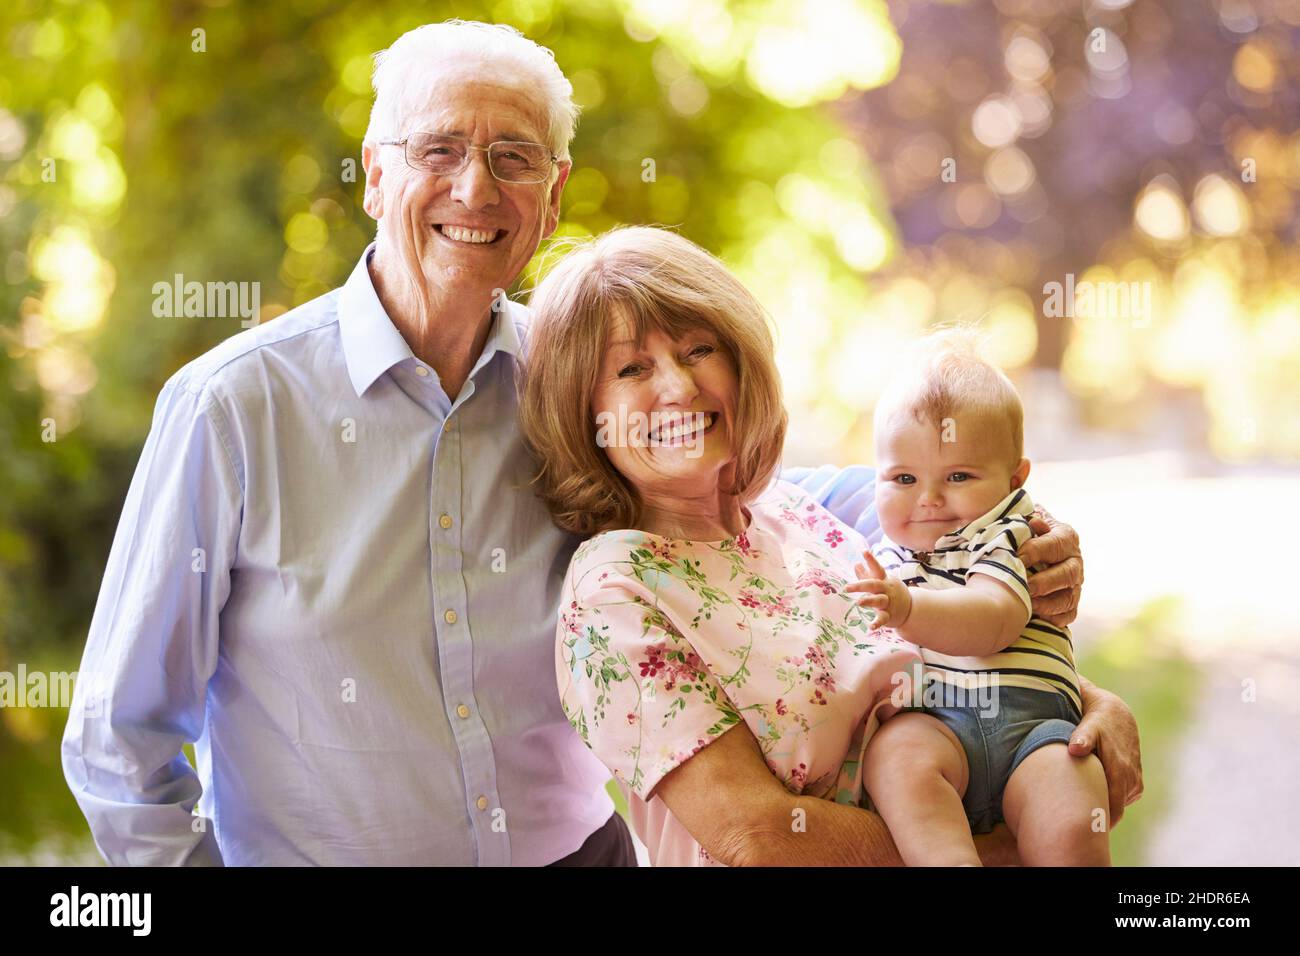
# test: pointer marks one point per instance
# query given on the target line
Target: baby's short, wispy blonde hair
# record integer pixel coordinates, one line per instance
(943, 374)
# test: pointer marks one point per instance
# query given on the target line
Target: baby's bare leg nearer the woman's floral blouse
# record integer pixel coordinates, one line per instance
(916, 773)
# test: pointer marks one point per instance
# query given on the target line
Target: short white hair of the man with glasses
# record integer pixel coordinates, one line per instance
(405, 73)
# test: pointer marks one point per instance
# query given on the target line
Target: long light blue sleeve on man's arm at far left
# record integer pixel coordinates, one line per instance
(153, 646)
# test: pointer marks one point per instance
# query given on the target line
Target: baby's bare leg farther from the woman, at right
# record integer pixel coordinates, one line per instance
(1051, 804)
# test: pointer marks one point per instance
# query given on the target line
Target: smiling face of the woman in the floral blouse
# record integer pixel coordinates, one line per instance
(664, 410)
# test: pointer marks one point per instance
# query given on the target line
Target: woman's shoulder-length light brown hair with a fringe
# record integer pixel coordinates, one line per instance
(658, 282)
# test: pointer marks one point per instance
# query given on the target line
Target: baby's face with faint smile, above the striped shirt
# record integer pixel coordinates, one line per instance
(933, 482)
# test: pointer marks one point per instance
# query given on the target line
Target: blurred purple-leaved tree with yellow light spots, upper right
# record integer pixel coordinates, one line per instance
(1112, 141)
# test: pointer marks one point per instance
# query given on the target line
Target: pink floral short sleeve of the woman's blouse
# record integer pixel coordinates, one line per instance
(634, 687)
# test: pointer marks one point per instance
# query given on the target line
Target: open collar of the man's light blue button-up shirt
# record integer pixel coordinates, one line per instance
(372, 344)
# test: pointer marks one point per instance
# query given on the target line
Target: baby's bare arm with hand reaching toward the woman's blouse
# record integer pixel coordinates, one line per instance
(981, 618)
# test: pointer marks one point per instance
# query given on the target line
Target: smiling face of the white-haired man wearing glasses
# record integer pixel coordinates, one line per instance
(467, 233)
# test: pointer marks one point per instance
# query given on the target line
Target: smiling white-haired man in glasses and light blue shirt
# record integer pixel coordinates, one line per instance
(331, 574)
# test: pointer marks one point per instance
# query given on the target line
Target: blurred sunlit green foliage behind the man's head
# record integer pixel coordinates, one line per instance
(222, 142)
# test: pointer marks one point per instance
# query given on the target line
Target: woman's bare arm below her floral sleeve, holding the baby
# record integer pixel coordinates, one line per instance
(743, 816)
